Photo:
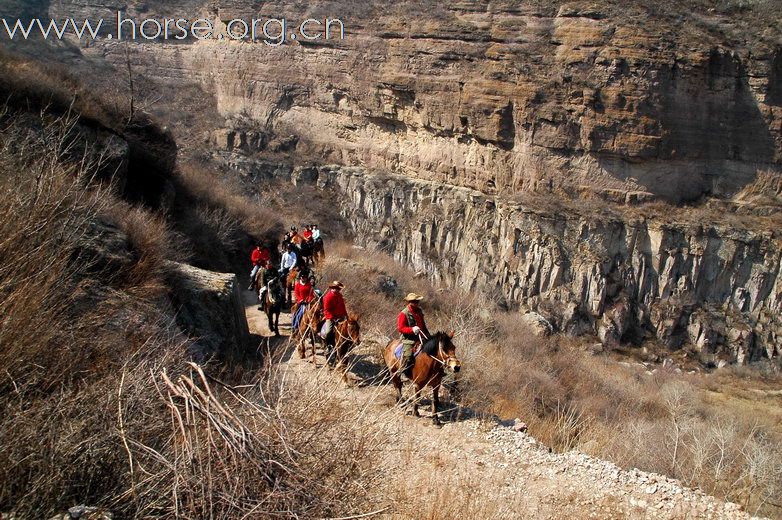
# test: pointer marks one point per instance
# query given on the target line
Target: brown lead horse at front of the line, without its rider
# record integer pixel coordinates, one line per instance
(437, 353)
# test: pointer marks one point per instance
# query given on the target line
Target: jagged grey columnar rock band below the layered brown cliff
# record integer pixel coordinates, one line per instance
(713, 289)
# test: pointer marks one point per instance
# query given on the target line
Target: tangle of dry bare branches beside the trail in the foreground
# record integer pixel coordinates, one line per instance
(270, 446)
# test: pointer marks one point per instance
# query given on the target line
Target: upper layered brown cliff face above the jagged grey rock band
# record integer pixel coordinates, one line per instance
(675, 103)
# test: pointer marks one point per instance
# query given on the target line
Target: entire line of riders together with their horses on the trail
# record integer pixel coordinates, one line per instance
(324, 315)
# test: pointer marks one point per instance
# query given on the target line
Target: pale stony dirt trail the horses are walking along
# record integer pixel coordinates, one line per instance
(484, 468)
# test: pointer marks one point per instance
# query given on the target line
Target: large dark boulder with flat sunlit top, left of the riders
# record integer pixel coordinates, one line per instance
(209, 309)
